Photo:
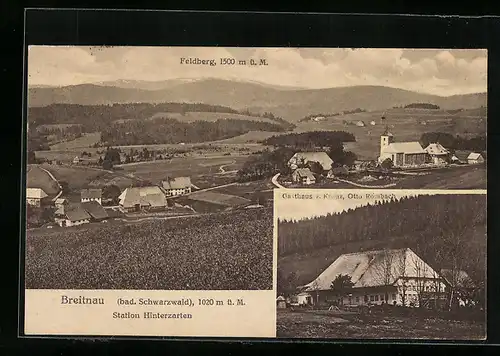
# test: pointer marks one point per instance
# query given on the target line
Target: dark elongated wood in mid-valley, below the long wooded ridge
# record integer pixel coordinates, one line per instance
(165, 130)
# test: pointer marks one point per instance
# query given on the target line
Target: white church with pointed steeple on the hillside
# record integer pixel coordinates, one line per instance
(402, 154)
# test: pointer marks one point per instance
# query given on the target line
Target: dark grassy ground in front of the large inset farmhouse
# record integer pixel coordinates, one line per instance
(344, 325)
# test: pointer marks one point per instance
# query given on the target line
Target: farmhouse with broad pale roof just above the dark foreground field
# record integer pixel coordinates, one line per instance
(142, 198)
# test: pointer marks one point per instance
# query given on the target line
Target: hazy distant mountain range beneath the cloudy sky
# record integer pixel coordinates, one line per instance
(290, 103)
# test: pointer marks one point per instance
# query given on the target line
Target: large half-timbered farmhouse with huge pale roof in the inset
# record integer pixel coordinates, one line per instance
(378, 277)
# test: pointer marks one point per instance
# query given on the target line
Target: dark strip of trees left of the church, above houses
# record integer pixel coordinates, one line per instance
(310, 139)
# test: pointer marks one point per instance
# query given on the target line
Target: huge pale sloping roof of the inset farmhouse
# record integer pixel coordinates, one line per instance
(370, 268)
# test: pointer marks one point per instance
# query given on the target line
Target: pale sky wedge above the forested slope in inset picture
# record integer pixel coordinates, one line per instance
(296, 209)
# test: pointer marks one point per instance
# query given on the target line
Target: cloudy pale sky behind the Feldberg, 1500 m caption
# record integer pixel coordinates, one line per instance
(441, 72)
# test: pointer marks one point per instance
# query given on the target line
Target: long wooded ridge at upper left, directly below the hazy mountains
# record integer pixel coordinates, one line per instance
(95, 118)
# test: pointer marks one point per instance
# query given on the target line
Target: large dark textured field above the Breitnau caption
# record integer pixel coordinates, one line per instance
(226, 251)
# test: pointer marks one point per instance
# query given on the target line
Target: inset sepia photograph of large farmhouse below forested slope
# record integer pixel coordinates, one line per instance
(381, 264)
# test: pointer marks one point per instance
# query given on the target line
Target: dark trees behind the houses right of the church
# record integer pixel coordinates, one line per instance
(477, 143)
